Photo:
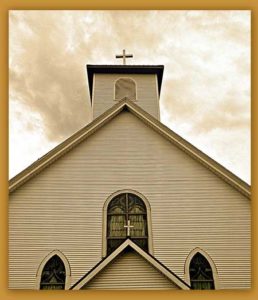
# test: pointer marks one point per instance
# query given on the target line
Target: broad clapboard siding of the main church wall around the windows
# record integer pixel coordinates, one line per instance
(62, 207)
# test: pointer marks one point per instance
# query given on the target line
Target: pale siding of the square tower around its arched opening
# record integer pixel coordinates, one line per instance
(146, 92)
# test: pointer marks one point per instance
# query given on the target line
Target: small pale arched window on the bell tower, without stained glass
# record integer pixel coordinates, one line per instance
(125, 87)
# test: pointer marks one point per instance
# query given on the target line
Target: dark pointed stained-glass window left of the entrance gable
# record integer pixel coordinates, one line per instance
(53, 274)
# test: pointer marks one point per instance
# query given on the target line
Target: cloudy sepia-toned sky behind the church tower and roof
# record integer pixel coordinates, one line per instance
(205, 94)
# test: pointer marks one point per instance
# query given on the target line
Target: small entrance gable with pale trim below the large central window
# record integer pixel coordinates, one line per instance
(130, 267)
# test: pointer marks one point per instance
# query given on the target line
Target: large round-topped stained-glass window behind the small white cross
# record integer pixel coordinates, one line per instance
(126, 217)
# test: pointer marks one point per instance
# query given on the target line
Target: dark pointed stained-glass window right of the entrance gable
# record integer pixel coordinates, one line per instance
(201, 275)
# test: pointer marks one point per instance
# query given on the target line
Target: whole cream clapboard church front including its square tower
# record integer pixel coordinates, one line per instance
(126, 203)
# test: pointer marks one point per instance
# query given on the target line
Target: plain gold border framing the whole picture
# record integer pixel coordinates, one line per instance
(5, 6)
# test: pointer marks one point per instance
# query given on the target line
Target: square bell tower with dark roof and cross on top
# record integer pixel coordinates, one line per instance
(108, 84)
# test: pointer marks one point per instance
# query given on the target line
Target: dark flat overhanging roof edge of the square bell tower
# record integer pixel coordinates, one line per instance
(124, 69)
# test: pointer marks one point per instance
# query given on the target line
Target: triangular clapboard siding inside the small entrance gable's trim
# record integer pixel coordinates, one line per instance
(130, 271)
